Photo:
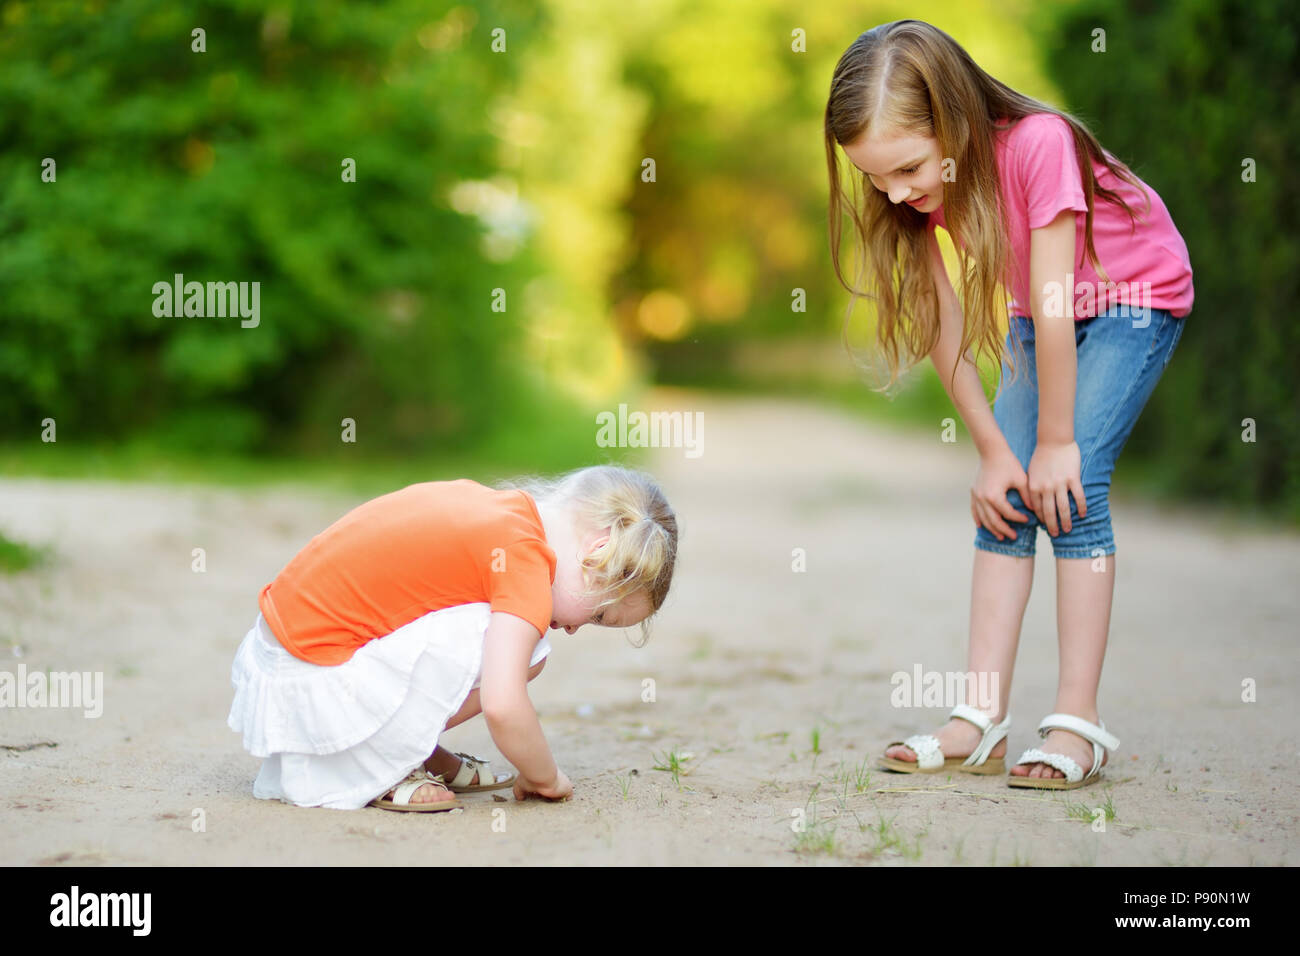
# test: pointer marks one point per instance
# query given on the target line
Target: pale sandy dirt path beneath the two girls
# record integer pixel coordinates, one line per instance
(752, 661)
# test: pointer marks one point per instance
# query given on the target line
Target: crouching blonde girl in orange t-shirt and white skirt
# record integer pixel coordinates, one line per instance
(427, 607)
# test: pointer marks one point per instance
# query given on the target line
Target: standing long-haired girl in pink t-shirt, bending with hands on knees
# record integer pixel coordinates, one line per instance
(1098, 283)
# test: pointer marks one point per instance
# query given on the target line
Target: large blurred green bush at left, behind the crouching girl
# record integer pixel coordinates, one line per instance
(227, 166)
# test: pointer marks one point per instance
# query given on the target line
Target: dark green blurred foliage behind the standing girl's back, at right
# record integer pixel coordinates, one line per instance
(1185, 93)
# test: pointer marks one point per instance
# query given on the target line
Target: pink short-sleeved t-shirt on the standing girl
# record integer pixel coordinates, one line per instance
(1041, 176)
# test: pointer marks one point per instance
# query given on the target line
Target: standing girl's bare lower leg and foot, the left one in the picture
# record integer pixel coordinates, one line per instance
(1000, 590)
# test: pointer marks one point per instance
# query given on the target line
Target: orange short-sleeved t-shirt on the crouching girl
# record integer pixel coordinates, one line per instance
(428, 547)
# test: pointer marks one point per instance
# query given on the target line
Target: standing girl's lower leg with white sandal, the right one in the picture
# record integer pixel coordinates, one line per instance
(1084, 624)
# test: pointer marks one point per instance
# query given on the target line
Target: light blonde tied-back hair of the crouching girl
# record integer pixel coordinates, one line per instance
(643, 547)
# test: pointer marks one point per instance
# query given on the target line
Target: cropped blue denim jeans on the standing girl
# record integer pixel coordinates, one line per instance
(1121, 357)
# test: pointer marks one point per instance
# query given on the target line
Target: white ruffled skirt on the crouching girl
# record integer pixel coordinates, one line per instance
(341, 736)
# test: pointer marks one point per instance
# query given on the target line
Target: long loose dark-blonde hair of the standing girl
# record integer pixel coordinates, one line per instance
(913, 79)
